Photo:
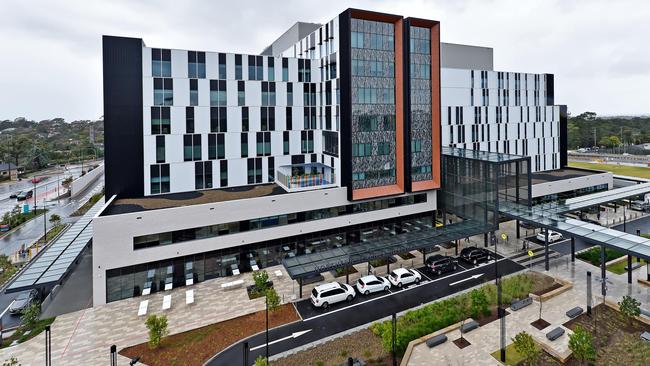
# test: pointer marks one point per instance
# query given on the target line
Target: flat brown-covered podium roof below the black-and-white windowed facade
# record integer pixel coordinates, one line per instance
(130, 205)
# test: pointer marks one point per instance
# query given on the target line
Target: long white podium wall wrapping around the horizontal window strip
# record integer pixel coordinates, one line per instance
(113, 235)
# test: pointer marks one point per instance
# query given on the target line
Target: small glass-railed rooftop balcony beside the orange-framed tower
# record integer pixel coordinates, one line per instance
(305, 177)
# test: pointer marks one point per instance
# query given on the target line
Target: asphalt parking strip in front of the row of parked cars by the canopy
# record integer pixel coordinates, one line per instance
(308, 311)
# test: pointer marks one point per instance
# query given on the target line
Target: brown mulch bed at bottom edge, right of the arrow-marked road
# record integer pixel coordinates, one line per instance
(359, 345)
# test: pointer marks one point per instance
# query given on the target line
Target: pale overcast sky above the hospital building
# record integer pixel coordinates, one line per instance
(51, 50)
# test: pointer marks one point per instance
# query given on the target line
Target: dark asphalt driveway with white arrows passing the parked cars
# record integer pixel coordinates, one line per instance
(338, 320)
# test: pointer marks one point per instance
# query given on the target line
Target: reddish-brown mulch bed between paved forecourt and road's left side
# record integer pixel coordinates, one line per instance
(196, 346)
